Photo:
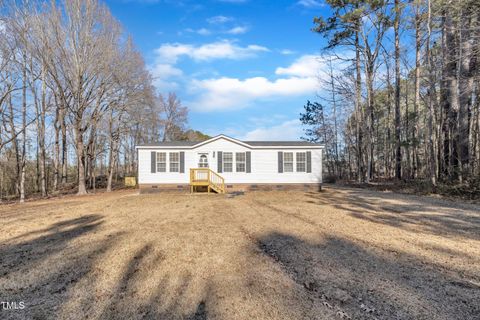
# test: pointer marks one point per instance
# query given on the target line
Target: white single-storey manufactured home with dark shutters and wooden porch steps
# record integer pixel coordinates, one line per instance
(223, 164)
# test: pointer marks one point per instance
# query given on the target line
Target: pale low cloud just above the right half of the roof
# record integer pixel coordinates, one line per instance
(288, 130)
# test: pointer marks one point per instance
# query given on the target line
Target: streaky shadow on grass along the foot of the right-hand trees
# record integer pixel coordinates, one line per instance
(405, 212)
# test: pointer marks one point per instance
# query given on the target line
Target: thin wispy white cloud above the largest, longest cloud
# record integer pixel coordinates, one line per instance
(170, 52)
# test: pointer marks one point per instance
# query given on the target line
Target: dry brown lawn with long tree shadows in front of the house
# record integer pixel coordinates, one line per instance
(336, 254)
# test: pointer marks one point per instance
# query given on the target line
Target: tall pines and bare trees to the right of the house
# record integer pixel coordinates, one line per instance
(404, 104)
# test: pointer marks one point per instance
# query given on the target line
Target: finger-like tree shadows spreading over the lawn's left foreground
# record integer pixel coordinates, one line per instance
(42, 268)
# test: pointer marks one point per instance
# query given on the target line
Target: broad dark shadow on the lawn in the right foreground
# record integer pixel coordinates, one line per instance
(367, 285)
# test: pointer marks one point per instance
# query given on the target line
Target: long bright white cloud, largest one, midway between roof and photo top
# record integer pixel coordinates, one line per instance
(232, 93)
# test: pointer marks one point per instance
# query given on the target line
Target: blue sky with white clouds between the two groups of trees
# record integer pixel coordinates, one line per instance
(244, 68)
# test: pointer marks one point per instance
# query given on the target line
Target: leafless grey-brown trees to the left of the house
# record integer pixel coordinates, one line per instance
(75, 99)
